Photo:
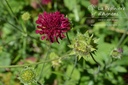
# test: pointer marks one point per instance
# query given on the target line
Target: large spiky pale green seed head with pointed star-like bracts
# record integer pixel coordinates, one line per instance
(83, 45)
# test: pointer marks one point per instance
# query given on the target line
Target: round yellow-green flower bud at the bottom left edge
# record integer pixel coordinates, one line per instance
(27, 76)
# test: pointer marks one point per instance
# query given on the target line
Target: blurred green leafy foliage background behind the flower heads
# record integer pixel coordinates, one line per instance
(19, 44)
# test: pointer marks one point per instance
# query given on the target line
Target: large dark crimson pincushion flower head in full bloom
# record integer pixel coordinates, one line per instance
(52, 26)
